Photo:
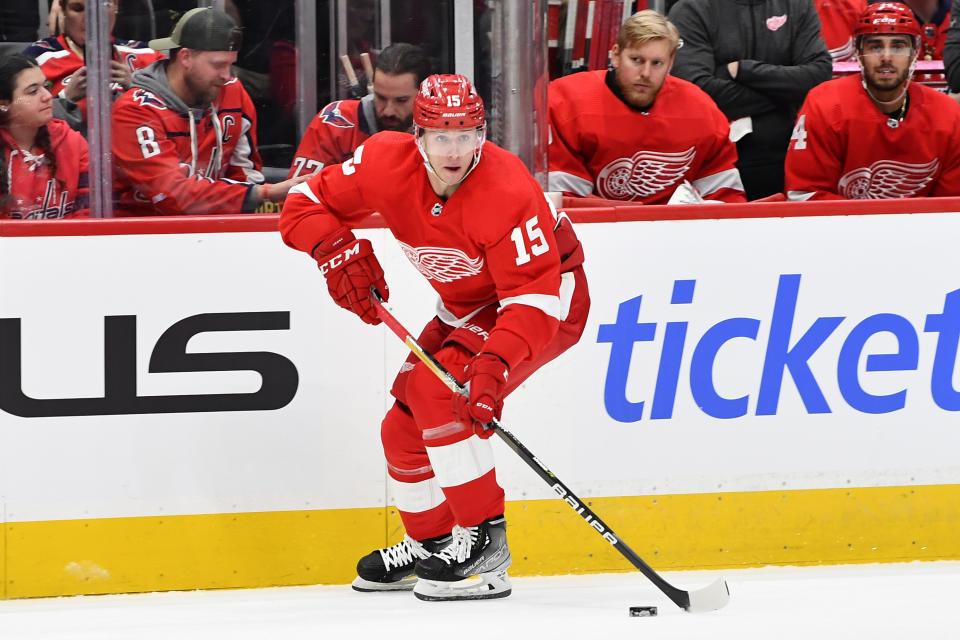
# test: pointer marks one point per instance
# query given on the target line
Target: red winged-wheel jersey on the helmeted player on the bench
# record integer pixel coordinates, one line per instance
(844, 147)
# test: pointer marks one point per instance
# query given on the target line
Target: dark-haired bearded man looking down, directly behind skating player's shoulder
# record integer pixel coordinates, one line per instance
(342, 126)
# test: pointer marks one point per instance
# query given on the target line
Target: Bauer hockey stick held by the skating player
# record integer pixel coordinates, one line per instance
(710, 598)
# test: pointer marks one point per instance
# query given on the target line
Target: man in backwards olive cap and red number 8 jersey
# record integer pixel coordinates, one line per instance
(184, 137)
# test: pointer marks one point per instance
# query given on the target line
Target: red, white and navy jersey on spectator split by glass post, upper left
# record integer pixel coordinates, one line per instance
(58, 62)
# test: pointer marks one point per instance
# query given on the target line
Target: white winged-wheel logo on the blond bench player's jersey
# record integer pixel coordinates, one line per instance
(643, 174)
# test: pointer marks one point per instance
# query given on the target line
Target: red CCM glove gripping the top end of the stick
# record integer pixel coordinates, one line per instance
(351, 269)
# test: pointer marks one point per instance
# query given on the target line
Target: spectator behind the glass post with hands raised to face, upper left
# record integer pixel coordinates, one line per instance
(63, 60)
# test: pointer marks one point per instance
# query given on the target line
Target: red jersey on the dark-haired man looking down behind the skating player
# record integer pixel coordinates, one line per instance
(333, 134)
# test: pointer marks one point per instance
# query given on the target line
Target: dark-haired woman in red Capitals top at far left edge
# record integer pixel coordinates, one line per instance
(43, 173)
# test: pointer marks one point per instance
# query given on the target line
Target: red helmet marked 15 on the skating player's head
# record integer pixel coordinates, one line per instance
(447, 101)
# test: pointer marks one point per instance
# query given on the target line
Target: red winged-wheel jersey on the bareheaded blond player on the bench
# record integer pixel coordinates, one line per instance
(601, 146)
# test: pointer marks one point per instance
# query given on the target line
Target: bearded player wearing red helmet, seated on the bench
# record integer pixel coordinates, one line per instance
(879, 135)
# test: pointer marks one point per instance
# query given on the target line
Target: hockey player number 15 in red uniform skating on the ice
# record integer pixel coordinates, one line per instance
(512, 296)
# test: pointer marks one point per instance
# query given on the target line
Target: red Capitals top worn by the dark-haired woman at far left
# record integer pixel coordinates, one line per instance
(31, 192)
